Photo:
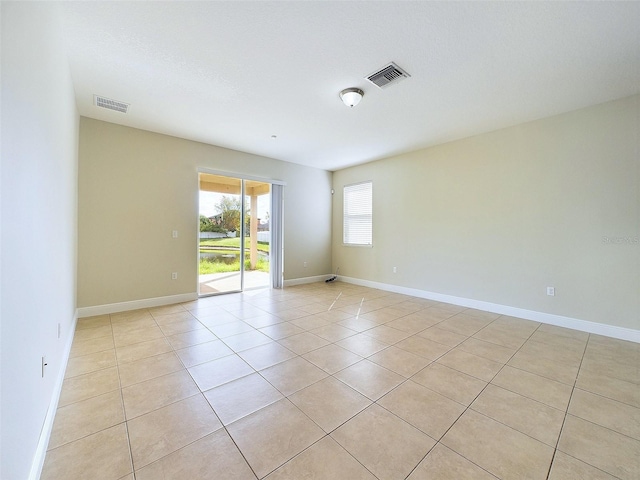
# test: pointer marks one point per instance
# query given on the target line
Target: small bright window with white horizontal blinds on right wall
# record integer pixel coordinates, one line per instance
(358, 214)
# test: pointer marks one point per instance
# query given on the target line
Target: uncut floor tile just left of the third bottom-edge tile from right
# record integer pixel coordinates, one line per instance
(423, 408)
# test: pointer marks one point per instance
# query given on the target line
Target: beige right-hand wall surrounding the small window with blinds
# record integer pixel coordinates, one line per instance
(499, 217)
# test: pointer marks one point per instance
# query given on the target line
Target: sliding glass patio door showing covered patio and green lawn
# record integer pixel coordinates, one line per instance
(235, 236)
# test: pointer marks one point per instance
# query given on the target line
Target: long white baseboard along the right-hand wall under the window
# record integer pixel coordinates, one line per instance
(613, 331)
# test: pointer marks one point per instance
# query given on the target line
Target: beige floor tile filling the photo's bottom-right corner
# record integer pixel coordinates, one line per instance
(600, 447)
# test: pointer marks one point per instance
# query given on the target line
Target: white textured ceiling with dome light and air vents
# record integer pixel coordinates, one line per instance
(235, 73)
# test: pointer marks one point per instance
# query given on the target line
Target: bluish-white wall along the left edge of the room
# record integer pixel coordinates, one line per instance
(39, 190)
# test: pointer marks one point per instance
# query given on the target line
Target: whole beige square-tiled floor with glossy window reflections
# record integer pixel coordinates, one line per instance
(336, 381)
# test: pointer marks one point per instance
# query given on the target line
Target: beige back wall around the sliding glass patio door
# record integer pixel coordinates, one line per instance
(135, 187)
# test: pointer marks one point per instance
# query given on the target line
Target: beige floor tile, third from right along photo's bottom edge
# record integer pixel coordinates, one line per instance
(503, 451)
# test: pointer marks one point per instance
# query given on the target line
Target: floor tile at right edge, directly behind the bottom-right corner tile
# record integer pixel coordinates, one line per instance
(608, 413)
